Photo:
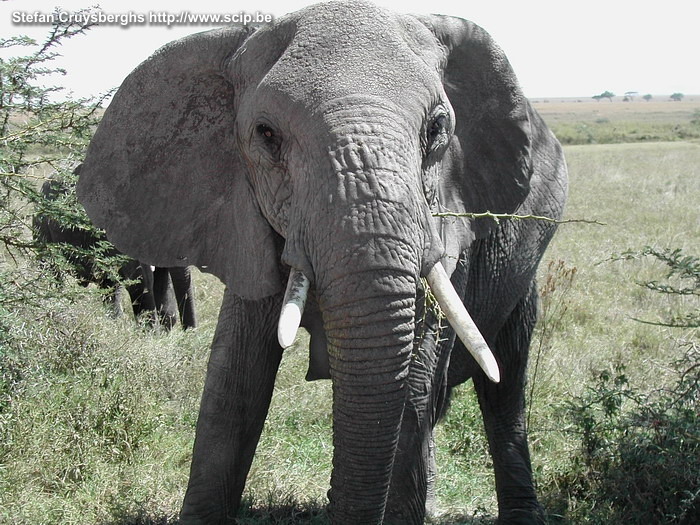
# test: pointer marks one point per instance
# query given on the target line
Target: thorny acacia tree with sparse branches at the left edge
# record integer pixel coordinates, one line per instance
(42, 130)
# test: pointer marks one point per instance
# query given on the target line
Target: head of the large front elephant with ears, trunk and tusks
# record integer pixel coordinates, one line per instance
(323, 143)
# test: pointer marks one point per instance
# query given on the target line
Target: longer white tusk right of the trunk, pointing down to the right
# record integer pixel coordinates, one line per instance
(453, 308)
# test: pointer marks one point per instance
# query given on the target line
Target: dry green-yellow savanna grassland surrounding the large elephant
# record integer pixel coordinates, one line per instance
(97, 415)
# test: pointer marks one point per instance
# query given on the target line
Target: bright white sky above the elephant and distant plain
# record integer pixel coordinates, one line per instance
(558, 48)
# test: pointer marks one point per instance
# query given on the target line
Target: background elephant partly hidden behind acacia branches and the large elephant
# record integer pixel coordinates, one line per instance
(159, 293)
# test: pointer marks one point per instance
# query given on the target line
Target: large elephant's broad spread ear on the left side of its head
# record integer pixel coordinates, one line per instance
(163, 174)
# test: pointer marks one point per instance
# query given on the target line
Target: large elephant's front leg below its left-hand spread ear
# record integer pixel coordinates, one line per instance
(244, 359)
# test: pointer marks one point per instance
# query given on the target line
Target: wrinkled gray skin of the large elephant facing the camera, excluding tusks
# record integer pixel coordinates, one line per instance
(325, 142)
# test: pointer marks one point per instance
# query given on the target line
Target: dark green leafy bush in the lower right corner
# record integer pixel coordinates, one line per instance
(639, 450)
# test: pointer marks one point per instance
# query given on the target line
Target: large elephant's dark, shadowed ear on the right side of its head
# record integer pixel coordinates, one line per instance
(489, 161)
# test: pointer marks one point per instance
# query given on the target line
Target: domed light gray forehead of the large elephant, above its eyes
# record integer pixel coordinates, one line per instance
(343, 49)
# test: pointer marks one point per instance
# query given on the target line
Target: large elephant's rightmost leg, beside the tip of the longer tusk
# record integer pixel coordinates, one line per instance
(503, 409)
